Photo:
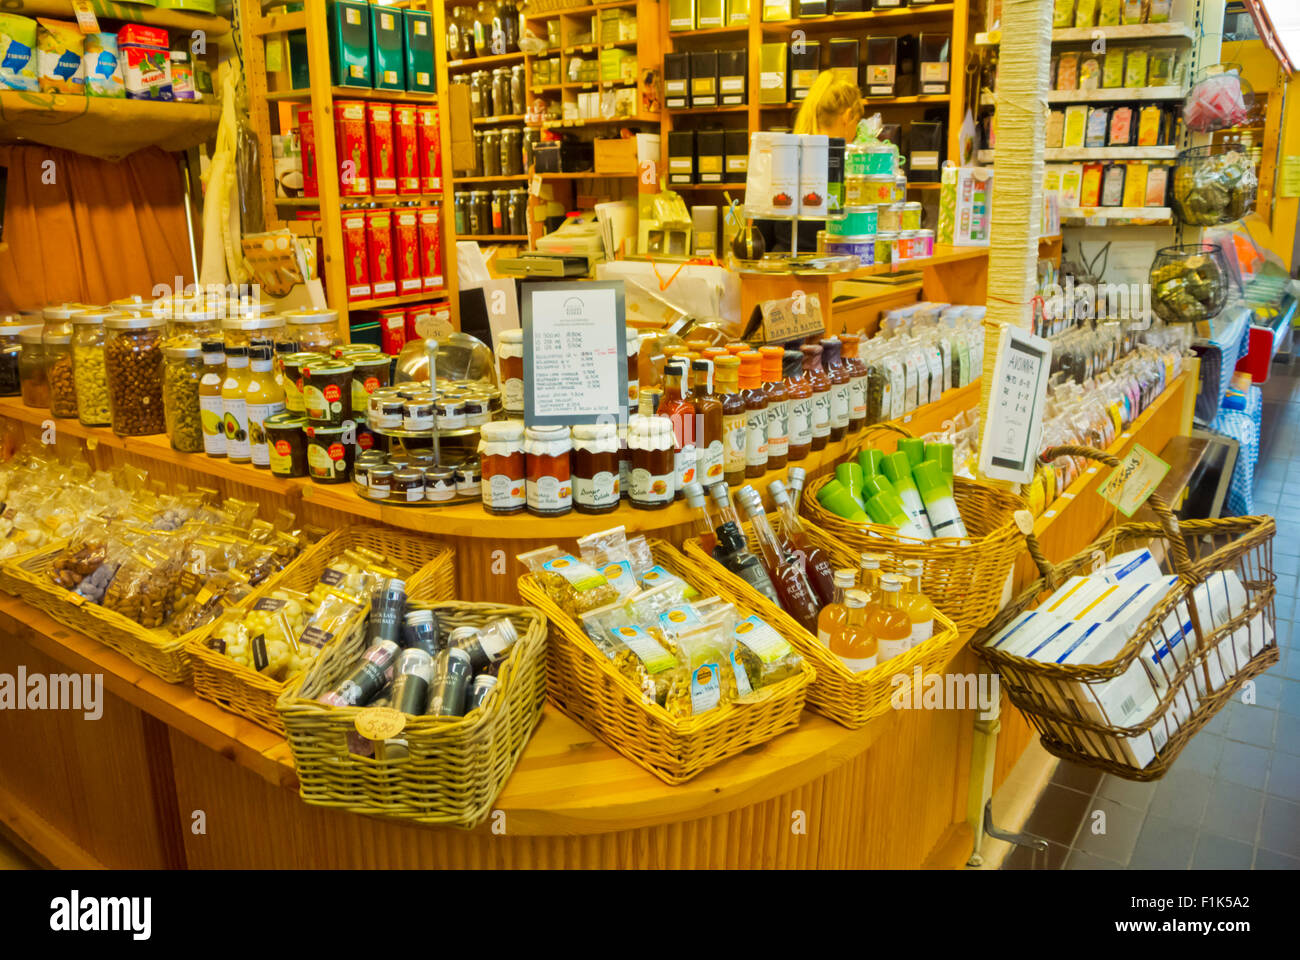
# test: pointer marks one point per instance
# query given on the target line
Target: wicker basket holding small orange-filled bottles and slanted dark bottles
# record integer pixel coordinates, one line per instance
(847, 698)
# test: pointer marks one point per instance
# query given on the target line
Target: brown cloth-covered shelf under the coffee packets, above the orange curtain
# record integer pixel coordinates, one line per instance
(106, 128)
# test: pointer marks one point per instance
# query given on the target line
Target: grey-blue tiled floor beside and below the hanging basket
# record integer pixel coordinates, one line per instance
(1233, 798)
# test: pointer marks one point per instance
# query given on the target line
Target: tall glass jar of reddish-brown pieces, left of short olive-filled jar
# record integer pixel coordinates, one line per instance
(135, 364)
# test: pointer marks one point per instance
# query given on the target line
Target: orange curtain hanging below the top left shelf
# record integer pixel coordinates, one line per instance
(101, 231)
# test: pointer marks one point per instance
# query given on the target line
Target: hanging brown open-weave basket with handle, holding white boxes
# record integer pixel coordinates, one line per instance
(1212, 665)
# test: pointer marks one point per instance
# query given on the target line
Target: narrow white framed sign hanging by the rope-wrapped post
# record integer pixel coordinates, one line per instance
(1013, 431)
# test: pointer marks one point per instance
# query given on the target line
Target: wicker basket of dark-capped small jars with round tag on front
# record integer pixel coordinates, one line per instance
(457, 767)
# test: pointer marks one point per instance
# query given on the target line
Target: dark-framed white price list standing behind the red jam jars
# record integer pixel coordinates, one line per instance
(575, 353)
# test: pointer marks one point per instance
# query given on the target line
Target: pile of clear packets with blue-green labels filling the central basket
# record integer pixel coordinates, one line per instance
(684, 652)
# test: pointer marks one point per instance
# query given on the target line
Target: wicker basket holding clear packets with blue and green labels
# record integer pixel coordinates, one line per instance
(586, 685)
